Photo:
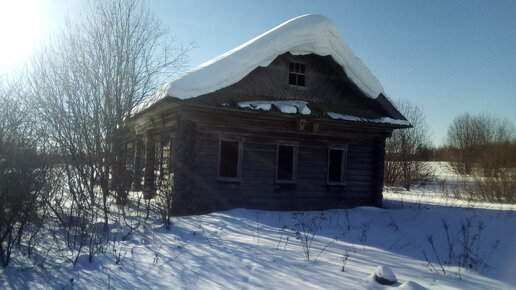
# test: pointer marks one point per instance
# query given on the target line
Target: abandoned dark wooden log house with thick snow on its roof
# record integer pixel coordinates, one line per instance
(290, 120)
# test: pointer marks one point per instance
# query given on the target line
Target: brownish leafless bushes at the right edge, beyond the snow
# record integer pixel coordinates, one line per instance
(483, 150)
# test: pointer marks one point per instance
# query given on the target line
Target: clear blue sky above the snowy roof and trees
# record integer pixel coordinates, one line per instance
(448, 57)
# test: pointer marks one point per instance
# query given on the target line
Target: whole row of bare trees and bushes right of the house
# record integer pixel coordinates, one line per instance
(481, 147)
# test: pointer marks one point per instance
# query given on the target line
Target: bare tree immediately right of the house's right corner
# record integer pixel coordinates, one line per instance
(403, 164)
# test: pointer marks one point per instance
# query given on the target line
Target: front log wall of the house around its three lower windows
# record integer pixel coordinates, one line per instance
(258, 187)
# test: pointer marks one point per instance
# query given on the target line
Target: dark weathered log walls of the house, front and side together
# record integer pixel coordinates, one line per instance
(194, 163)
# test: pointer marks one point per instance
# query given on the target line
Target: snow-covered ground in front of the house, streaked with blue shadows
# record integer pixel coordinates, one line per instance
(421, 236)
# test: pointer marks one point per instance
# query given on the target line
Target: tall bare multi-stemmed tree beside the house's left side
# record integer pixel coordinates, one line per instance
(86, 83)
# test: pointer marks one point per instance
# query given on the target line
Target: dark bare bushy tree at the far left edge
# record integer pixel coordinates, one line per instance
(23, 171)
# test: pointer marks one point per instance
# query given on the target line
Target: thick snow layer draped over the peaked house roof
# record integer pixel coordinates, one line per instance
(307, 34)
